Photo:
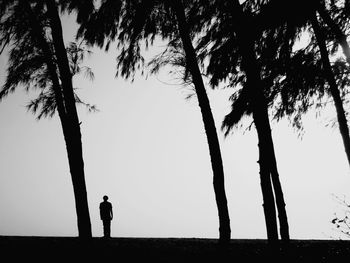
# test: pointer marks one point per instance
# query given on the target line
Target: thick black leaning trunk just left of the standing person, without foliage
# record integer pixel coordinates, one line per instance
(71, 127)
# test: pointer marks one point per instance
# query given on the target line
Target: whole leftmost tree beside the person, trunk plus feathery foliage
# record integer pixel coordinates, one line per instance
(38, 59)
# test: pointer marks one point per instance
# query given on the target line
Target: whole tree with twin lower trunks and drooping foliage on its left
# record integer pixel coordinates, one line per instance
(229, 44)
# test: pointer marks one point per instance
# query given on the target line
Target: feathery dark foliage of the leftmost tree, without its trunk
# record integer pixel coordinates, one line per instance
(27, 63)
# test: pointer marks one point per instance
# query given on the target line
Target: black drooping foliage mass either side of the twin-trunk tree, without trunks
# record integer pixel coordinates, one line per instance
(293, 77)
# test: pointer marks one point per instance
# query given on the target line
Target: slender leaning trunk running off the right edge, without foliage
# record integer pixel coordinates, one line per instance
(343, 125)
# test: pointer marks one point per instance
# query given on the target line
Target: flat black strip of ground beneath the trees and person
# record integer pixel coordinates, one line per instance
(52, 249)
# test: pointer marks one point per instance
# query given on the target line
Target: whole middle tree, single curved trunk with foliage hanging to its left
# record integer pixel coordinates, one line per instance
(141, 22)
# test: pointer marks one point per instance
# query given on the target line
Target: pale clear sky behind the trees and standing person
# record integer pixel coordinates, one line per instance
(146, 149)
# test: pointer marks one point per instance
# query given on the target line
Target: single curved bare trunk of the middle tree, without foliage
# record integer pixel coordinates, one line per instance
(209, 124)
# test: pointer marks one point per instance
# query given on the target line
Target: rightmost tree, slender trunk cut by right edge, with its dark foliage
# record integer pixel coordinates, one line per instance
(308, 73)
